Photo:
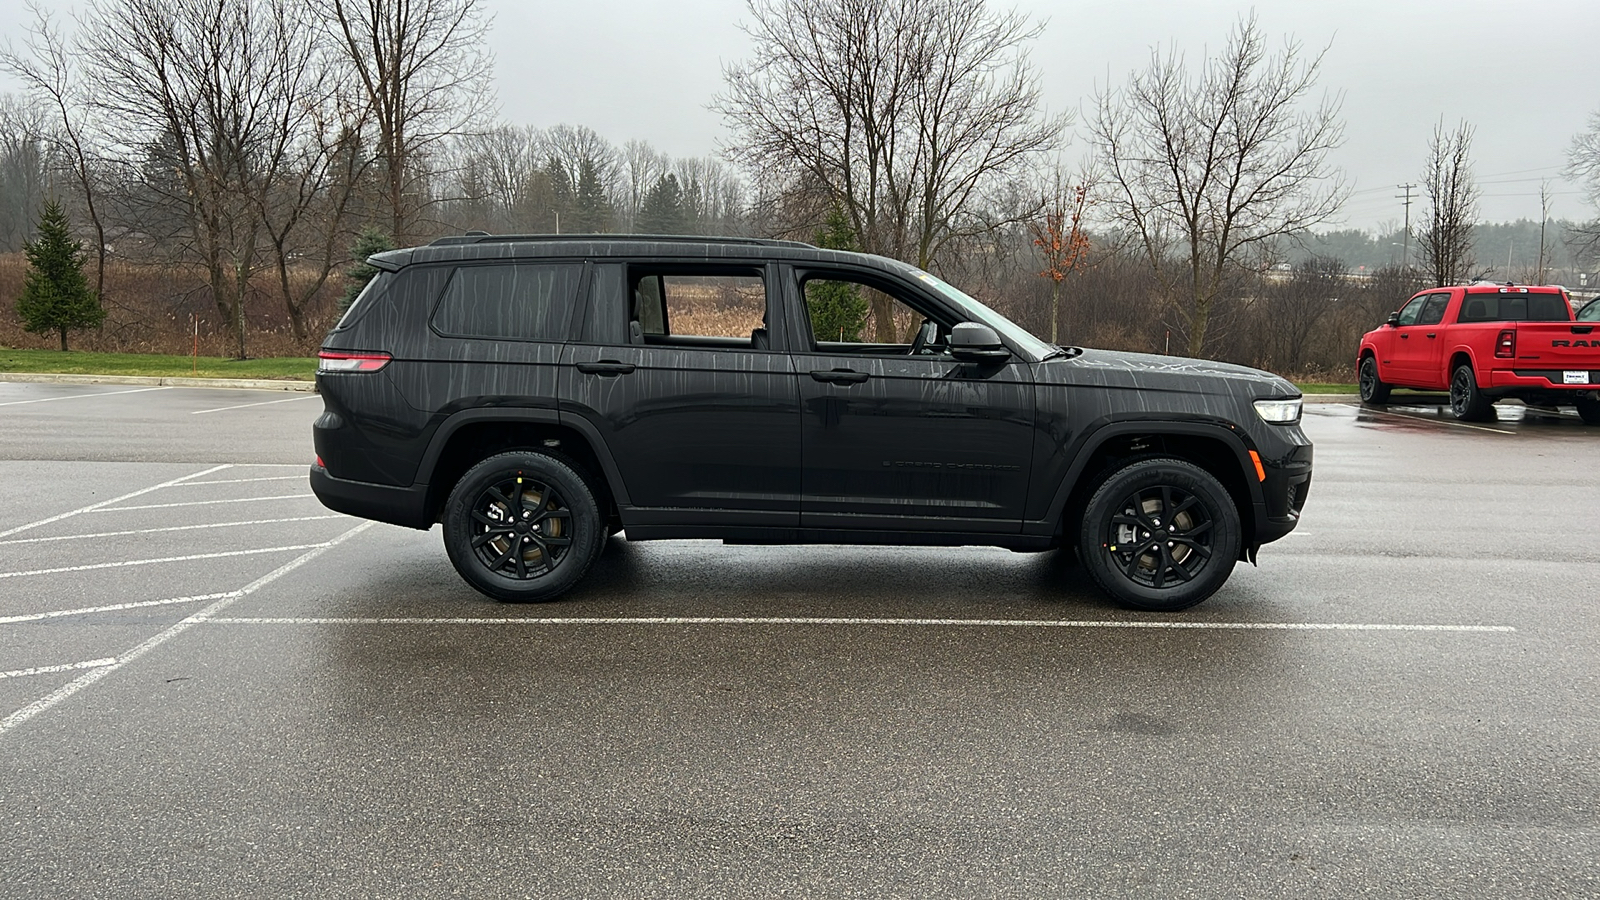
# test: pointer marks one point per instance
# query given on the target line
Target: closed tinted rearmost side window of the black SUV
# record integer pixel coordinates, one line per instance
(510, 302)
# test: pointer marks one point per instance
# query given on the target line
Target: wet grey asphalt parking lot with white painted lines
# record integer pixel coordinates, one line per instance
(210, 686)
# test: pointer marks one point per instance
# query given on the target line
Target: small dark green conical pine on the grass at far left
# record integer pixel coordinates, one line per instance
(55, 294)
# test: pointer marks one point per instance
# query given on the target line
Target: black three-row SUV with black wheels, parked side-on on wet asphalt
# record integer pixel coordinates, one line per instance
(538, 393)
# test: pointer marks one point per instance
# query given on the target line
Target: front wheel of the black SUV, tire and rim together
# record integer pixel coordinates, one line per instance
(1127, 521)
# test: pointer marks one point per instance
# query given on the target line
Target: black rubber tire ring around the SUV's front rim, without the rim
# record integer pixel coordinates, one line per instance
(1154, 473)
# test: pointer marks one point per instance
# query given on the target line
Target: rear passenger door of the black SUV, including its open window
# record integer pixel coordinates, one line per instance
(694, 395)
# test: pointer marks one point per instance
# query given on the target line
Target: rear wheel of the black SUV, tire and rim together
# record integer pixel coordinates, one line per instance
(556, 505)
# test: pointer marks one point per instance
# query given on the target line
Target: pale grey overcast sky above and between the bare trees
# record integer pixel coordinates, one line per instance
(1527, 76)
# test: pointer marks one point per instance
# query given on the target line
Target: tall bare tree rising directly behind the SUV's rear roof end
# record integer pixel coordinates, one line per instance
(425, 71)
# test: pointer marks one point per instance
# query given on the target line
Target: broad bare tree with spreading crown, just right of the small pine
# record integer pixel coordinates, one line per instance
(204, 87)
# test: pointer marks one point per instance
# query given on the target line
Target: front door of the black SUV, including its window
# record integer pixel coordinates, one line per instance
(898, 435)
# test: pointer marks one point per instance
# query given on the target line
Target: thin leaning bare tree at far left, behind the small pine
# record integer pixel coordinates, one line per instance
(49, 68)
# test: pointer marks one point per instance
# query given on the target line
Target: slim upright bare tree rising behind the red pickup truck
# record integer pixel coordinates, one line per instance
(1446, 238)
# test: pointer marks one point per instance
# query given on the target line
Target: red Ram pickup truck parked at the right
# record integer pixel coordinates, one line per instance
(1484, 344)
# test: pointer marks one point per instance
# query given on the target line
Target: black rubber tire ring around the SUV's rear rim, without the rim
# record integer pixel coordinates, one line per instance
(588, 528)
